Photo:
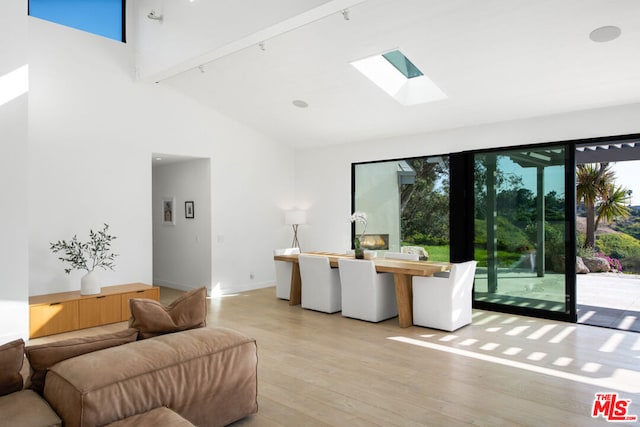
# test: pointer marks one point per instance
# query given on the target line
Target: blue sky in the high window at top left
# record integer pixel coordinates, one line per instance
(101, 17)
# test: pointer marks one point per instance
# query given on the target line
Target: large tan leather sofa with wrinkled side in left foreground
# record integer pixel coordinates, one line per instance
(204, 377)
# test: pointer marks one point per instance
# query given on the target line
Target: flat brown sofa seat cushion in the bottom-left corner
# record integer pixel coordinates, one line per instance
(26, 409)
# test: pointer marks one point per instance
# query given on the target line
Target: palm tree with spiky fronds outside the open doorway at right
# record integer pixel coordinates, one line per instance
(596, 188)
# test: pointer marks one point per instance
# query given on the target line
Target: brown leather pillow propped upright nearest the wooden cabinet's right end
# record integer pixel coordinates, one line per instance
(152, 318)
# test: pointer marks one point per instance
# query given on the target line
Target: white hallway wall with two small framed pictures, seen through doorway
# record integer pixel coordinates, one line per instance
(182, 251)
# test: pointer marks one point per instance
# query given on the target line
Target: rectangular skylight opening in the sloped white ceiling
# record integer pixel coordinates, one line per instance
(394, 73)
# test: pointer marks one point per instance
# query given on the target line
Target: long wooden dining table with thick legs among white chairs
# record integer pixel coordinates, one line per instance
(402, 270)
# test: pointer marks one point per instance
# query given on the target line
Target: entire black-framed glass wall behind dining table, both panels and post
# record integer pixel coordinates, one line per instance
(512, 210)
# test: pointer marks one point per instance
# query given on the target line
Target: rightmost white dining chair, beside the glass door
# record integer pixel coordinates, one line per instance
(444, 302)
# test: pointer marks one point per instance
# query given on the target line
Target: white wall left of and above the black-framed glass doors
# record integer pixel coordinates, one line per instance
(323, 175)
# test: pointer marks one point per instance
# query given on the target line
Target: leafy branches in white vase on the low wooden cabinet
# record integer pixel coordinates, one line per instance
(87, 256)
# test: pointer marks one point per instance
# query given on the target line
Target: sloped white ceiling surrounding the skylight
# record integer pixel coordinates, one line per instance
(496, 60)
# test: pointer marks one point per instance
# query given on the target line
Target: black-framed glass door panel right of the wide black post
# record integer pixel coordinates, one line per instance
(522, 231)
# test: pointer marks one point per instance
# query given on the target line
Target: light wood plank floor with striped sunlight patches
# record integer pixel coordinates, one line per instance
(317, 369)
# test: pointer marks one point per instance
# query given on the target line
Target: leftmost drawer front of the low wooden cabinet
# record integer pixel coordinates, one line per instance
(53, 318)
